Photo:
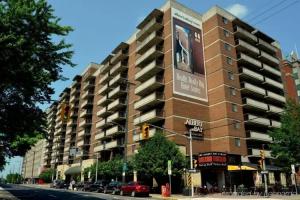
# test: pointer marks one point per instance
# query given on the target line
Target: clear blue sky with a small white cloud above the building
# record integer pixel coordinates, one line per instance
(100, 25)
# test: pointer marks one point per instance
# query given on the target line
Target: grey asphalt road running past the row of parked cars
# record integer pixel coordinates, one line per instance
(29, 193)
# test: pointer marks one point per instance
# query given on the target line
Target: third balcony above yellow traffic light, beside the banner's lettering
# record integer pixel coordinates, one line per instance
(150, 85)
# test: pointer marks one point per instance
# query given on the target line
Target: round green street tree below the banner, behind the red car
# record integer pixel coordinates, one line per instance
(152, 159)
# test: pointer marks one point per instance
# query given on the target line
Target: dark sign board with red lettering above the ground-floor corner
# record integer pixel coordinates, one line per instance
(212, 159)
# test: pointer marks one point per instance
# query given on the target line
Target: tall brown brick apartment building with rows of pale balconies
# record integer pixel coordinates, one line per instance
(179, 70)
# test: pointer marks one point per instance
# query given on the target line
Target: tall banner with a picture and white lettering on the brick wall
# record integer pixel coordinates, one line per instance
(188, 57)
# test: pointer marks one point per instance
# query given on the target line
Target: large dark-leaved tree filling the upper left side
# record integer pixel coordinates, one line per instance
(32, 53)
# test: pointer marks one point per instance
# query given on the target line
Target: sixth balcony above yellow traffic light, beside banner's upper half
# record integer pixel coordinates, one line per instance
(153, 39)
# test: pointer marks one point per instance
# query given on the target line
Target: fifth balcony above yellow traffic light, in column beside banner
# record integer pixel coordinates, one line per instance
(149, 55)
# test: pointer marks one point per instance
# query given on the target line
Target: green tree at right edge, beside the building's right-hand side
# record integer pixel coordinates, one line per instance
(286, 148)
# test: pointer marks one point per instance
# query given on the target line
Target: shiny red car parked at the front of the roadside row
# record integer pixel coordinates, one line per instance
(134, 188)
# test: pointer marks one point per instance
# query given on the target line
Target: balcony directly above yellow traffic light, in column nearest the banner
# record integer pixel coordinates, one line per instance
(149, 117)
